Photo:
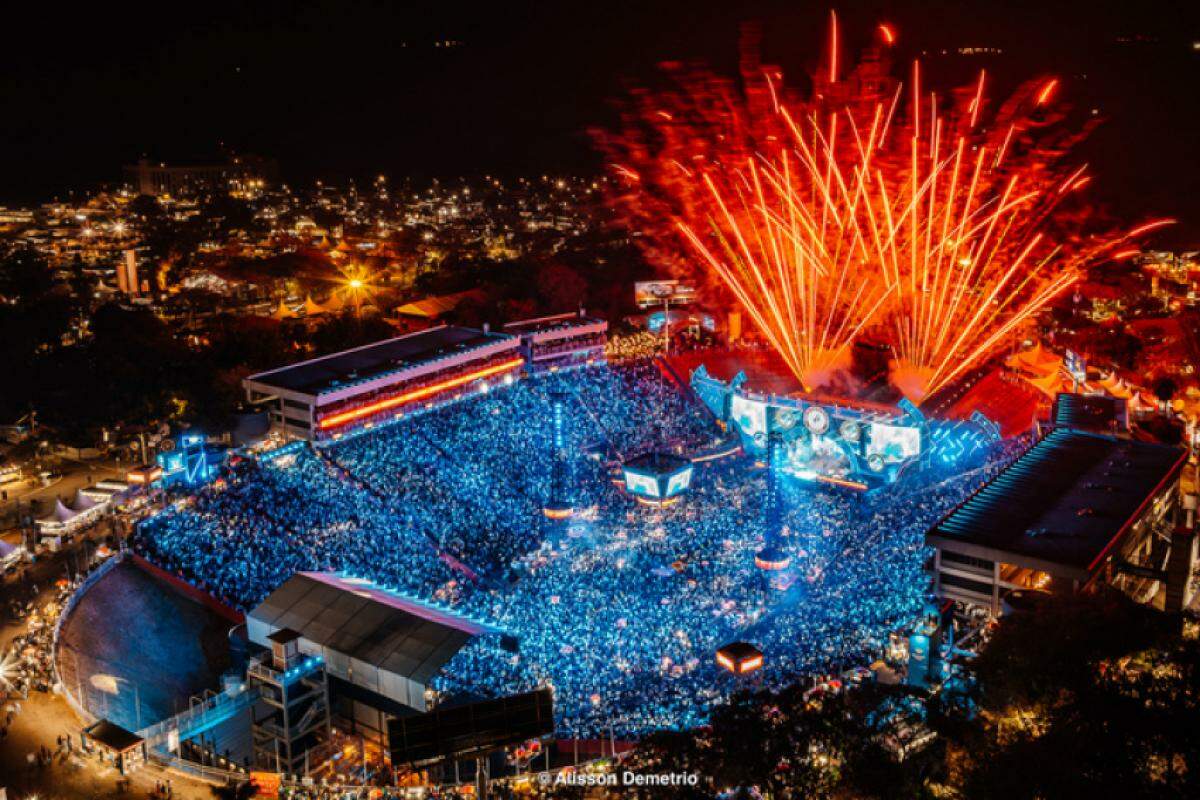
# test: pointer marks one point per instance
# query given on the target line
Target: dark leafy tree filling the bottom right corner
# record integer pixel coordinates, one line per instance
(1087, 696)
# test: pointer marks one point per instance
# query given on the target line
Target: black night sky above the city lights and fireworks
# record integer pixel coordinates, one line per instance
(352, 89)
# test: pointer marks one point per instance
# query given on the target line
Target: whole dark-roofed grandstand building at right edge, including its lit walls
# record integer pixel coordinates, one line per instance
(1077, 512)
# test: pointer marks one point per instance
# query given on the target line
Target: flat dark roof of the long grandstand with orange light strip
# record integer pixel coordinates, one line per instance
(377, 359)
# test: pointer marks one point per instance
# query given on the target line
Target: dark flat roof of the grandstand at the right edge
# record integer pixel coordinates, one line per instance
(1064, 504)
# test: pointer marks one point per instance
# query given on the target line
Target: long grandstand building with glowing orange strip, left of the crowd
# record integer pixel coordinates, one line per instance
(326, 398)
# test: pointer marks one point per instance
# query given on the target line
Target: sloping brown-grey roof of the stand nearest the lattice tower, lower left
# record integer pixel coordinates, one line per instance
(364, 622)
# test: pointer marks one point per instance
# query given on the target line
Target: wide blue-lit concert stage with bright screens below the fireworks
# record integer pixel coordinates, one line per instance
(848, 443)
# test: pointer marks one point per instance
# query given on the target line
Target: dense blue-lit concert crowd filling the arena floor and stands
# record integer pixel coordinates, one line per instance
(622, 610)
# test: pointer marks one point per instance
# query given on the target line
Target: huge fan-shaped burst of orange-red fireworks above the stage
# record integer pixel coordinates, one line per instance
(867, 206)
